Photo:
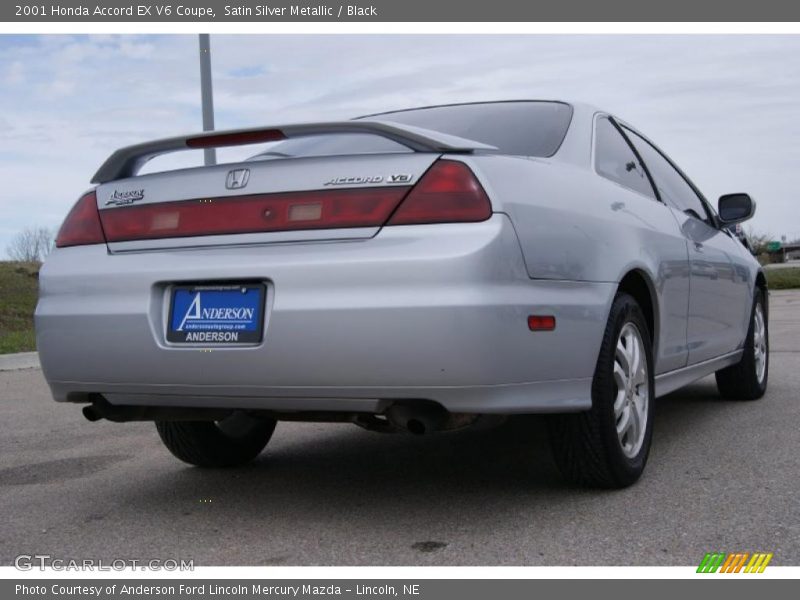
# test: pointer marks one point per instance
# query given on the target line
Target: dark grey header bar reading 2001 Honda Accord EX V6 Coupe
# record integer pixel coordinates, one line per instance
(442, 11)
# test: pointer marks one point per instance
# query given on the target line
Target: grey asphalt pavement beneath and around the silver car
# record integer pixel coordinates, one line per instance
(722, 476)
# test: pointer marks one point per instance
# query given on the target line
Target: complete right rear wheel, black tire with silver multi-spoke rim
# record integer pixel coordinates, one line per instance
(608, 445)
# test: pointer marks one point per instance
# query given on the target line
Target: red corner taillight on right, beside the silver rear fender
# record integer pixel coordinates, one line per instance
(447, 193)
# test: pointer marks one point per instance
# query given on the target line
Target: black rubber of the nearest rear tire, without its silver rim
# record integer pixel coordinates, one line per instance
(586, 447)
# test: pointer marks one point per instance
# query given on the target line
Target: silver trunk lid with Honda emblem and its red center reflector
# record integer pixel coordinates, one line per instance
(280, 200)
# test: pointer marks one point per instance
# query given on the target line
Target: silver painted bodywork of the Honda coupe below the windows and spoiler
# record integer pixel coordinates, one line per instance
(357, 318)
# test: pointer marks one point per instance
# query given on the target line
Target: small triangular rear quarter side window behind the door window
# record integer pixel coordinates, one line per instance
(614, 159)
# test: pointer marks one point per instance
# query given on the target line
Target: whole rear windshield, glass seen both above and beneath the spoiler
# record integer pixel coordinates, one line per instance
(521, 128)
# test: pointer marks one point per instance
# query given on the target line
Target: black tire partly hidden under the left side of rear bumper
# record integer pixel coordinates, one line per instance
(232, 442)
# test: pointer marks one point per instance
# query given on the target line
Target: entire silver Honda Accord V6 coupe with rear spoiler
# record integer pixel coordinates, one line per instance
(419, 270)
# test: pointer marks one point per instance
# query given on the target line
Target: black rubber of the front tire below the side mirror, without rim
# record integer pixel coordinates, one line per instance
(740, 381)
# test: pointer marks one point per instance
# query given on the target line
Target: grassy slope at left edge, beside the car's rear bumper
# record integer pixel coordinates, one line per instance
(19, 287)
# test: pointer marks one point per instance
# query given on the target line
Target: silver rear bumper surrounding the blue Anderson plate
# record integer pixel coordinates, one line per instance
(433, 312)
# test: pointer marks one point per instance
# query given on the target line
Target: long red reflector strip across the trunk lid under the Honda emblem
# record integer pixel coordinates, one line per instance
(323, 209)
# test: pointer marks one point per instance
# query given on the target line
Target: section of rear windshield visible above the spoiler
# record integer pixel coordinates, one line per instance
(521, 128)
